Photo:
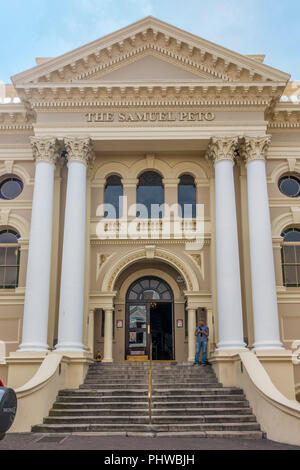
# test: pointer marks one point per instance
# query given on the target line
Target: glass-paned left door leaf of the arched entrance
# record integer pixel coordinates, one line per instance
(137, 336)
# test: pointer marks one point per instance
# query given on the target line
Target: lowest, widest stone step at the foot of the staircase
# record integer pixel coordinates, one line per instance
(188, 427)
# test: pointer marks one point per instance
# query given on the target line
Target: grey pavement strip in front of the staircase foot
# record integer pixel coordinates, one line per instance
(29, 441)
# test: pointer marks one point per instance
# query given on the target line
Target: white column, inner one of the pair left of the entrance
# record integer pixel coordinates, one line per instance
(71, 308)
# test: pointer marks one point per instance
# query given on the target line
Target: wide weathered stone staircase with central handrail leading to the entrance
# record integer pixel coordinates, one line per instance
(187, 401)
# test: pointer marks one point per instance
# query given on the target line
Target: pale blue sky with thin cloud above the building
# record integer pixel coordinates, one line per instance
(49, 28)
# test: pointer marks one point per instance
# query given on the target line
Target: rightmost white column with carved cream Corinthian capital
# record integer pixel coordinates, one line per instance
(265, 310)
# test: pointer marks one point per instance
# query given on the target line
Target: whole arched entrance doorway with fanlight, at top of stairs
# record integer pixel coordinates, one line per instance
(149, 311)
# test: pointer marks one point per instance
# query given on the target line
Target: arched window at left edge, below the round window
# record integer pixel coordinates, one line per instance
(9, 259)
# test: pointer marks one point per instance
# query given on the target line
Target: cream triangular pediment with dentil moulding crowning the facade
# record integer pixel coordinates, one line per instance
(183, 57)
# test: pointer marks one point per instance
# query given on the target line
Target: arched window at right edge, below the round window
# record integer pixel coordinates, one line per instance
(291, 257)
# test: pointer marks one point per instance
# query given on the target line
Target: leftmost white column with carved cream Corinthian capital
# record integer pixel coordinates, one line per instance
(36, 308)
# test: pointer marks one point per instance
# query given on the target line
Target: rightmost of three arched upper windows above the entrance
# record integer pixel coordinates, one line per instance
(187, 197)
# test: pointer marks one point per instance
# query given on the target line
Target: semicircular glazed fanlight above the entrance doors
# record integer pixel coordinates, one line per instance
(150, 288)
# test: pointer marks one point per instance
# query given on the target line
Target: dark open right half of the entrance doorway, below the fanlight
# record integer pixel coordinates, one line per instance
(161, 326)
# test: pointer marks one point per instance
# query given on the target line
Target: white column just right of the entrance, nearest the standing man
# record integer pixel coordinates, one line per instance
(230, 317)
